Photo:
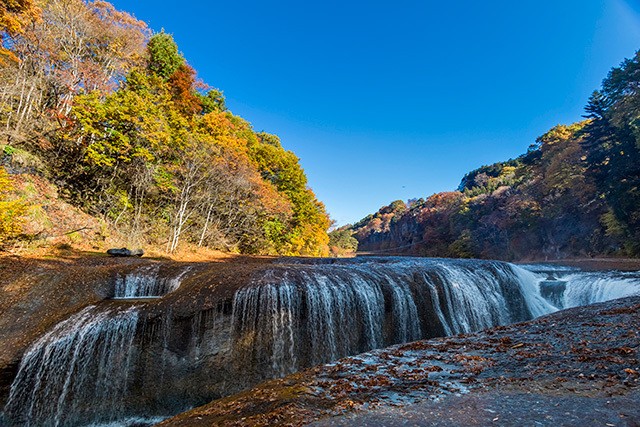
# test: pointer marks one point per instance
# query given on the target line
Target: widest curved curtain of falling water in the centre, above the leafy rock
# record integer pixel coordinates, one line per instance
(304, 314)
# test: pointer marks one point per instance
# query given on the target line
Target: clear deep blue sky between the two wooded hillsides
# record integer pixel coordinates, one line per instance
(396, 100)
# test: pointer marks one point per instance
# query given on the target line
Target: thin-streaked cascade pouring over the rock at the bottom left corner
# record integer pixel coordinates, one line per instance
(77, 372)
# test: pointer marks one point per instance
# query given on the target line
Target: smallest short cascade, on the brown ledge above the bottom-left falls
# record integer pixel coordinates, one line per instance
(146, 282)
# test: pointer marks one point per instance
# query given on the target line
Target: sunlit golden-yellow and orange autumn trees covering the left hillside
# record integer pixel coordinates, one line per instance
(116, 117)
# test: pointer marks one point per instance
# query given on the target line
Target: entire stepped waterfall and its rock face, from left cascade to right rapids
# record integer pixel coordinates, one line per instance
(158, 348)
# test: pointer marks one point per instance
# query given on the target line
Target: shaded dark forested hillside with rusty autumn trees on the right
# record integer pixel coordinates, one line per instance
(576, 192)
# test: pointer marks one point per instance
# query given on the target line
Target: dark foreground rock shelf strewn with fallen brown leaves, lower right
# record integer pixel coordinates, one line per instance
(575, 367)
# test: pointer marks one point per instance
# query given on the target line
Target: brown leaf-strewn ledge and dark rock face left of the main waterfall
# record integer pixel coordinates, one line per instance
(39, 294)
